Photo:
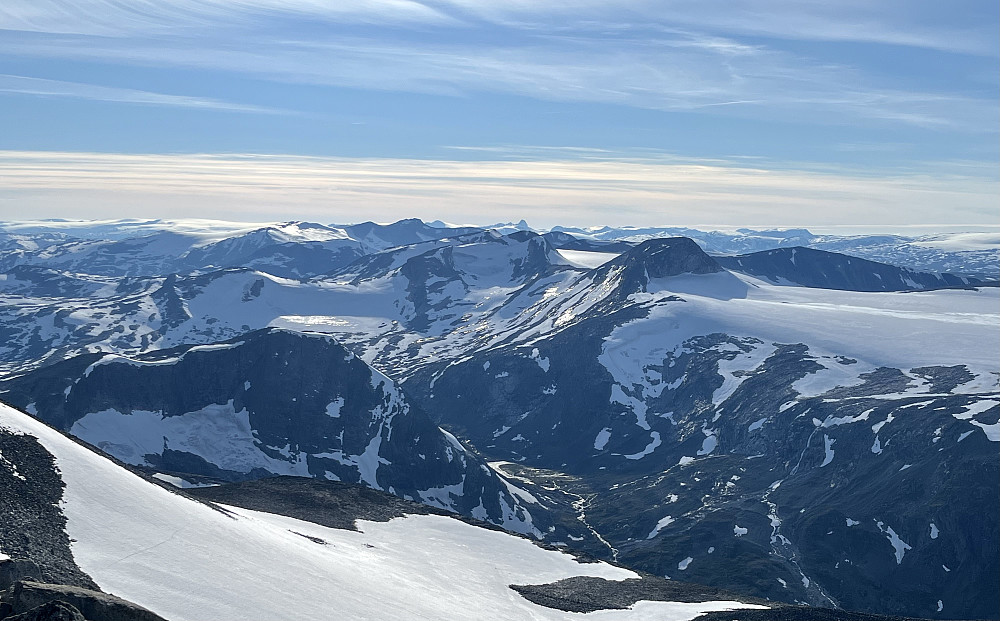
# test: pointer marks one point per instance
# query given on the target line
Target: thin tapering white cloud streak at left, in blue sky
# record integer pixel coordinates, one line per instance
(24, 85)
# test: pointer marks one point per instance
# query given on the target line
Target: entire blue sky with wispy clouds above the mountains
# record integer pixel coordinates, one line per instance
(877, 116)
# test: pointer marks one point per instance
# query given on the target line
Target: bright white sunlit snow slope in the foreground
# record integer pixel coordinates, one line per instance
(186, 560)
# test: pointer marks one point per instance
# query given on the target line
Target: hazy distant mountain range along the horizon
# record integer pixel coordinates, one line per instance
(302, 249)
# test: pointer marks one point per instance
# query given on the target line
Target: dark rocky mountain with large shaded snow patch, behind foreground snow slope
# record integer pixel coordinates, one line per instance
(270, 402)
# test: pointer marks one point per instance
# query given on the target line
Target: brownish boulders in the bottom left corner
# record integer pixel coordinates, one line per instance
(94, 605)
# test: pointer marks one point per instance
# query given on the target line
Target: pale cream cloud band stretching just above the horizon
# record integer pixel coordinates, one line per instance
(649, 191)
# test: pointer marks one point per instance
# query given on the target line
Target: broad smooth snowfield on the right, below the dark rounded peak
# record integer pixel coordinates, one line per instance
(900, 330)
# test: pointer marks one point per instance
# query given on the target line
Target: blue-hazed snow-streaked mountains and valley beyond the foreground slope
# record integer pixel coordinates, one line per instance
(782, 420)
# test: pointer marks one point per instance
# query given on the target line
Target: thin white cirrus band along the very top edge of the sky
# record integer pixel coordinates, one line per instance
(956, 26)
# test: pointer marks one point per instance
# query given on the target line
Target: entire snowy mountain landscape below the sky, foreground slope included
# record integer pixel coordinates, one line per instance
(423, 421)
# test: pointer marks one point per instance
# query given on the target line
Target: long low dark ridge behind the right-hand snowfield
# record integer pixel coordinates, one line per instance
(832, 270)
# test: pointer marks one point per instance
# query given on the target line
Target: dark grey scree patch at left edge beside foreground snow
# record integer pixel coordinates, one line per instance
(32, 526)
